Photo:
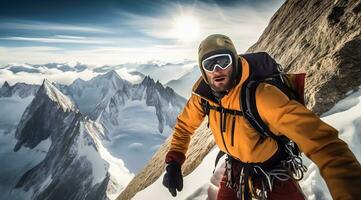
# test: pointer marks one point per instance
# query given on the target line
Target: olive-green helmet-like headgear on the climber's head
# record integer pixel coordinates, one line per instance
(215, 44)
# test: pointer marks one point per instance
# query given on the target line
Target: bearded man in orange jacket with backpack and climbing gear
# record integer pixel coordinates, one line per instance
(262, 126)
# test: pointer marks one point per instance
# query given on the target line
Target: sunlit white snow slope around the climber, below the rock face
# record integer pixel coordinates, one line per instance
(345, 116)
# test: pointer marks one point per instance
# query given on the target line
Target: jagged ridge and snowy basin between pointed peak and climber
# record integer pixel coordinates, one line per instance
(138, 120)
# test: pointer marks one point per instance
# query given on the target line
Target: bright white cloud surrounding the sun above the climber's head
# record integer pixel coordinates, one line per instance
(244, 24)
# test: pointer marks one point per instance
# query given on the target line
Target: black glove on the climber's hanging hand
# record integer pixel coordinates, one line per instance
(173, 178)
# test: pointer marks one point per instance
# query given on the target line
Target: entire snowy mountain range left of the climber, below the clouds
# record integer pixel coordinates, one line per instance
(45, 128)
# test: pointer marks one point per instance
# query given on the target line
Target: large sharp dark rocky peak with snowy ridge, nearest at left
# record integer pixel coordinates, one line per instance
(76, 165)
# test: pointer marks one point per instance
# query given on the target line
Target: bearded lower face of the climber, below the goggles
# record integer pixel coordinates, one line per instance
(220, 79)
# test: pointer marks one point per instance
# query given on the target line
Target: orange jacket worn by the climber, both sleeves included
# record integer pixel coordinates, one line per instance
(316, 139)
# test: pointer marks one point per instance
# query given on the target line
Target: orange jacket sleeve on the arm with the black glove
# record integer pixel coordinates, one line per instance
(187, 122)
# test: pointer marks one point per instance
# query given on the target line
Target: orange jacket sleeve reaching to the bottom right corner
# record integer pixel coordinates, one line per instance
(318, 140)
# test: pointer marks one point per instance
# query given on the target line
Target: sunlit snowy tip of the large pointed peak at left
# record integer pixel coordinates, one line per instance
(56, 96)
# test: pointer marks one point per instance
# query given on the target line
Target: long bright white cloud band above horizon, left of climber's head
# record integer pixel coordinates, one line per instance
(96, 55)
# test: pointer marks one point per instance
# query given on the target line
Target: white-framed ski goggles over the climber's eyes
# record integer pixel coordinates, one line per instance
(219, 60)
